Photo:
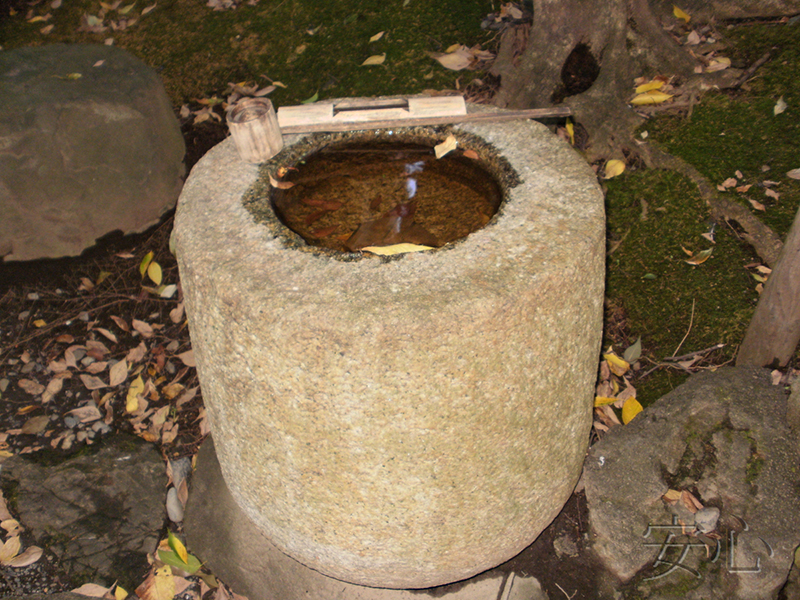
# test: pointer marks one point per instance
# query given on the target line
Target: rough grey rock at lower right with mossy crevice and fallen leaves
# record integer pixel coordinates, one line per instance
(723, 436)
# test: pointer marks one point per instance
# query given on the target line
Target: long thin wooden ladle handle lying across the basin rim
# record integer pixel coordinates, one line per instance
(508, 115)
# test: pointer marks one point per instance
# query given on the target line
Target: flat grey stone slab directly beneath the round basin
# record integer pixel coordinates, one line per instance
(226, 540)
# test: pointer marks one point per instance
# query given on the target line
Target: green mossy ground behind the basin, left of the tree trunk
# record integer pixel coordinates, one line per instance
(311, 46)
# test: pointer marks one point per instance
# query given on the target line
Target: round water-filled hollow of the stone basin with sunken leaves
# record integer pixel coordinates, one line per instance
(350, 195)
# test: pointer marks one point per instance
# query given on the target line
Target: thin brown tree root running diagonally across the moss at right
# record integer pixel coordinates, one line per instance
(765, 242)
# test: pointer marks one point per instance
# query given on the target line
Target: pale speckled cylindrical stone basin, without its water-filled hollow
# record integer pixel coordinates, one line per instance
(408, 422)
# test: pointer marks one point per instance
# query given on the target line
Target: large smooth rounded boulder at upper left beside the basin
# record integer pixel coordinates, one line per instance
(82, 156)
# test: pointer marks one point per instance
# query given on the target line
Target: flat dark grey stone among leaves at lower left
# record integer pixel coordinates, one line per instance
(100, 513)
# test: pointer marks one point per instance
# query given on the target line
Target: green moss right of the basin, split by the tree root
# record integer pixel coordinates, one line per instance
(656, 214)
